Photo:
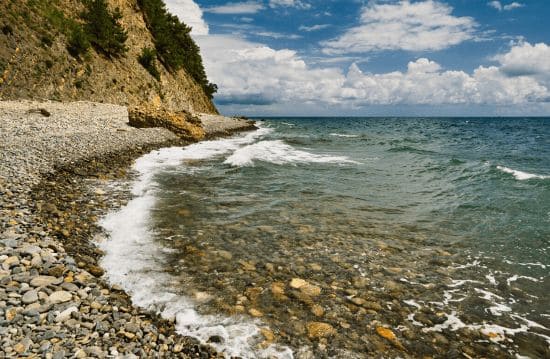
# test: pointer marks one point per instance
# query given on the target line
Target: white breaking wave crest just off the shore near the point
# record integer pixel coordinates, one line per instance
(278, 152)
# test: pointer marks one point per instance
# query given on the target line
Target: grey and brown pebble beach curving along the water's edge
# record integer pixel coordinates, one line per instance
(53, 301)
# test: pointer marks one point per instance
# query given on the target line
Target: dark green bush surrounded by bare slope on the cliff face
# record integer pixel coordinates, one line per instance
(103, 28)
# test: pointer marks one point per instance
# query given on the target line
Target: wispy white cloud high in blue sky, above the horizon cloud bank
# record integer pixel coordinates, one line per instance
(418, 26)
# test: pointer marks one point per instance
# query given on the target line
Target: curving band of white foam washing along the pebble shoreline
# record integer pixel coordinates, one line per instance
(134, 261)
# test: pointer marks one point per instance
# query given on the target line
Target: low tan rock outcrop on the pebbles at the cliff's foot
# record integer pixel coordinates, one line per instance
(182, 123)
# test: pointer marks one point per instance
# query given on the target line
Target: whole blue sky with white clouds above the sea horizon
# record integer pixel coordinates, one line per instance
(374, 57)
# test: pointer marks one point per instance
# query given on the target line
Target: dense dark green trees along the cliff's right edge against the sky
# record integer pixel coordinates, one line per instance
(174, 44)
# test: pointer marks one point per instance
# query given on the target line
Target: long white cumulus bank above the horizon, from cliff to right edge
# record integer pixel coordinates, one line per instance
(255, 74)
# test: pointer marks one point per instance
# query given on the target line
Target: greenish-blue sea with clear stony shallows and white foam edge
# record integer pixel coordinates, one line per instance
(346, 238)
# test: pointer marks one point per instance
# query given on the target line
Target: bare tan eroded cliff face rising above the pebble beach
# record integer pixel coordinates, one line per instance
(35, 62)
